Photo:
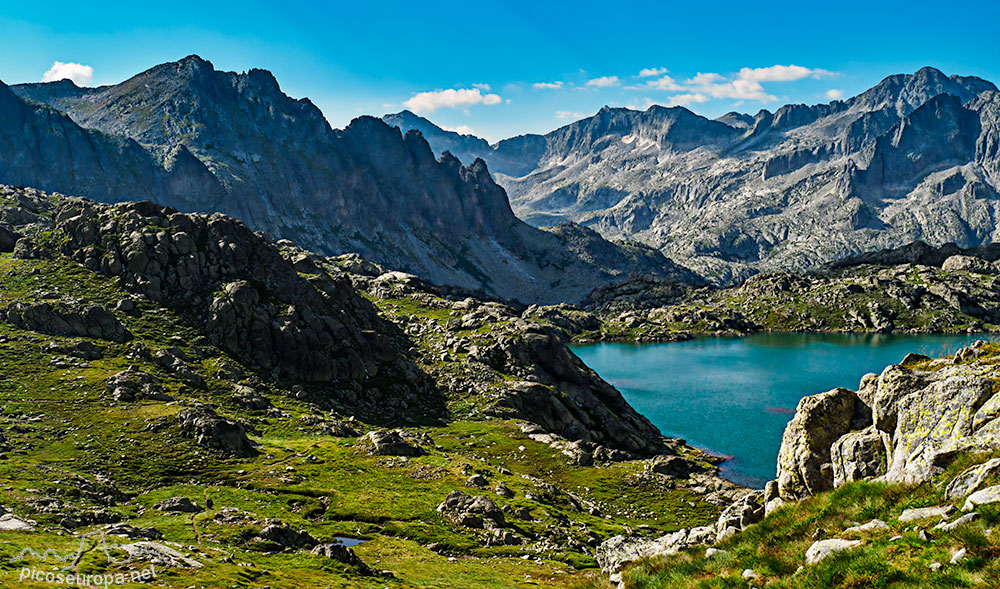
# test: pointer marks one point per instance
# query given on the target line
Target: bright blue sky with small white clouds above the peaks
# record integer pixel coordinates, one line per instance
(504, 68)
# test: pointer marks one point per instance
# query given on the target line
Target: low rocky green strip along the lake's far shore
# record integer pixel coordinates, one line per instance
(913, 289)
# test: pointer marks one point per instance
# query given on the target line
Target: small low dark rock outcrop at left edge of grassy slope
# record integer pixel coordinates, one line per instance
(86, 320)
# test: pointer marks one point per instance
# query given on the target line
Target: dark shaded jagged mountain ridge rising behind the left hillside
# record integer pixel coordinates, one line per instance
(189, 136)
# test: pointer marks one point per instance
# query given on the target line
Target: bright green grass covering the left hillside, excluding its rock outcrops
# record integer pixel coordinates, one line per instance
(62, 428)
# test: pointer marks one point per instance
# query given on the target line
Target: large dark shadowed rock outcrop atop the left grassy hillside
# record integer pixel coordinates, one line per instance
(250, 300)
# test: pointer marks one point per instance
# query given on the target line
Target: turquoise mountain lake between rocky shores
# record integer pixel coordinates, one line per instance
(733, 396)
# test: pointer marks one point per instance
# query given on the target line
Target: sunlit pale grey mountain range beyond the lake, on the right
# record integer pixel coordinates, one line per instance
(913, 158)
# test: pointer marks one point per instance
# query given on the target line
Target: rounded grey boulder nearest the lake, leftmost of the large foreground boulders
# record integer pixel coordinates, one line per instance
(804, 466)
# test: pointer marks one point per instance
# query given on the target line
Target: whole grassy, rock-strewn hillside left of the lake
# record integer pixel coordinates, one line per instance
(208, 404)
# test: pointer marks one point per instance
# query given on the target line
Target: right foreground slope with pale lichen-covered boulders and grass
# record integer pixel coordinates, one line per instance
(895, 484)
